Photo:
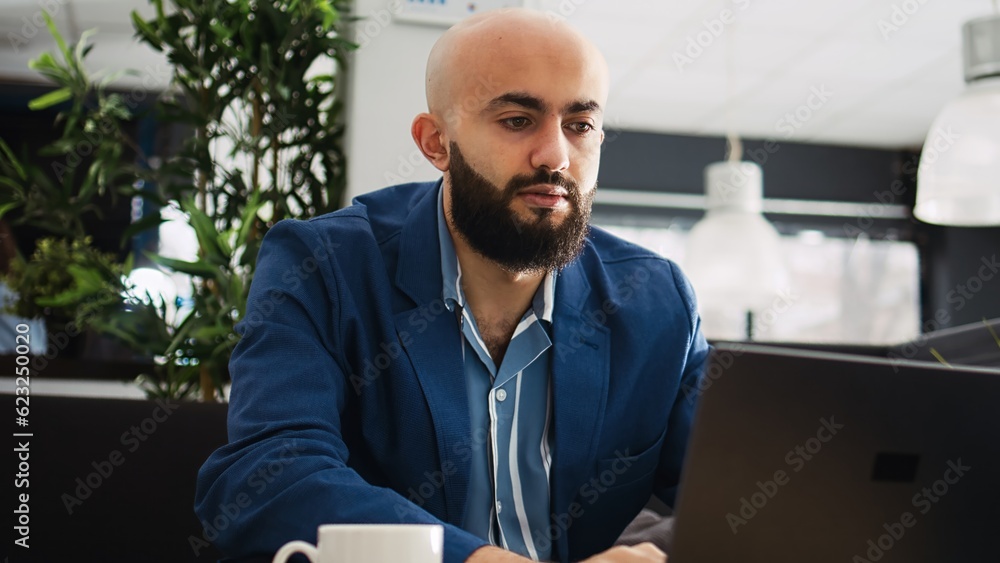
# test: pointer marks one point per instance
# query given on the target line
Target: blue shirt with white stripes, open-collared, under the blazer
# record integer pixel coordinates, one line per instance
(509, 407)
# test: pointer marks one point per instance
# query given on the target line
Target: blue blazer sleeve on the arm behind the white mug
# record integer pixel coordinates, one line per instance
(284, 471)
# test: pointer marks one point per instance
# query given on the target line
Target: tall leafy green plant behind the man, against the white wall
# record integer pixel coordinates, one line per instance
(265, 144)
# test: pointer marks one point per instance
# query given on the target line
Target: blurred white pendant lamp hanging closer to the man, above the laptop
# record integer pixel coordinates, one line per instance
(733, 254)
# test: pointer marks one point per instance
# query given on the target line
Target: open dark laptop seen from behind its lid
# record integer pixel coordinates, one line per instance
(812, 456)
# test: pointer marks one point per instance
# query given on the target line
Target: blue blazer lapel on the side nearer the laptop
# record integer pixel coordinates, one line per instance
(580, 378)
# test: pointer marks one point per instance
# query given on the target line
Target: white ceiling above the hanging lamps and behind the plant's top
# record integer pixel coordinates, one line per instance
(768, 59)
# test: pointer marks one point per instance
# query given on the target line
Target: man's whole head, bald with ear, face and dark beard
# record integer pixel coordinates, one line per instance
(516, 111)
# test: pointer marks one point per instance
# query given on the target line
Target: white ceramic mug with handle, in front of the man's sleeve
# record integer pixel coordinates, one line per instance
(370, 543)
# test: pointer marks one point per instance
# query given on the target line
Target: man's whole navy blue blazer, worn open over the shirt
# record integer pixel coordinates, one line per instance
(348, 401)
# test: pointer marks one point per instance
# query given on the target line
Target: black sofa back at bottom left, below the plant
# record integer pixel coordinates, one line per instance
(112, 480)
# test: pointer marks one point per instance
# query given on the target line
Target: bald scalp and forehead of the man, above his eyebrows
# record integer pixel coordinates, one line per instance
(491, 53)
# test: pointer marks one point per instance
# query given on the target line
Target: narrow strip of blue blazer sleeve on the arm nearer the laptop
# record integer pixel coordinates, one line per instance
(682, 412)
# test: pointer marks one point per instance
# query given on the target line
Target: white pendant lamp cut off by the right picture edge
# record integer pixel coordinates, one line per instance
(958, 180)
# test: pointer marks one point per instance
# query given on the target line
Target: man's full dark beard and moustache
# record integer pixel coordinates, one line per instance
(484, 218)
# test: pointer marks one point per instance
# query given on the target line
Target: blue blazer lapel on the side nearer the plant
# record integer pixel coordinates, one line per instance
(433, 344)
